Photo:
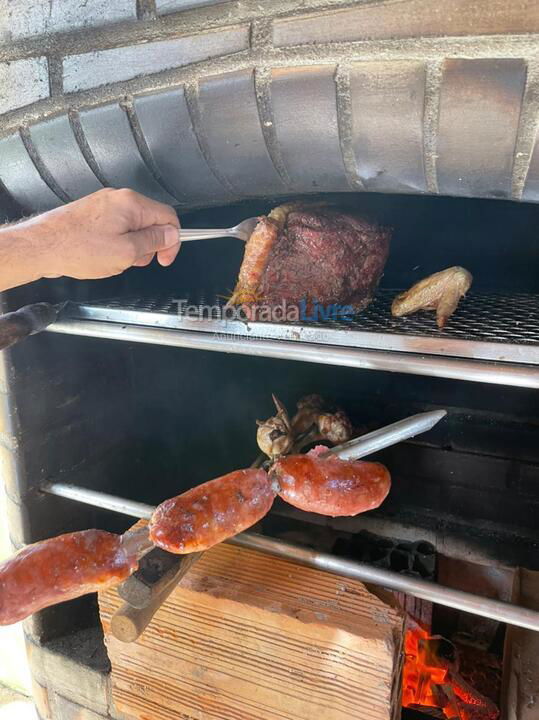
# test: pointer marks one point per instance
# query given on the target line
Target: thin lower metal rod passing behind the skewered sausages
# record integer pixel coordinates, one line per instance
(457, 599)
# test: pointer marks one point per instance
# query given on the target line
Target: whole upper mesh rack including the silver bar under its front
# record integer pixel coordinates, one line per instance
(490, 338)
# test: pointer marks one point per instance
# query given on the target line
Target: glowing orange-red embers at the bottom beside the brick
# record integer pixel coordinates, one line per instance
(431, 680)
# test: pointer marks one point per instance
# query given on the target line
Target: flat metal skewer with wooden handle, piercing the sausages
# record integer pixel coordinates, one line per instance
(160, 572)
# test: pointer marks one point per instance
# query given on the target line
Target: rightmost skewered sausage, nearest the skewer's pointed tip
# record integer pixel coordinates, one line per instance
(330, 486)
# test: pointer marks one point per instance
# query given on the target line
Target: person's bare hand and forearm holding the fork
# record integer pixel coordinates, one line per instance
(98, 236)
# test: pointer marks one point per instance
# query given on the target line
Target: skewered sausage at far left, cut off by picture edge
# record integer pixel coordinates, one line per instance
(62, 568)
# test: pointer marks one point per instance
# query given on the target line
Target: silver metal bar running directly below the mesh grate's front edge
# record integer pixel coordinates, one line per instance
(430, 365)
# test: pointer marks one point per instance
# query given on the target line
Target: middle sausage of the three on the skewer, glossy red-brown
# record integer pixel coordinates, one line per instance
(212, 512)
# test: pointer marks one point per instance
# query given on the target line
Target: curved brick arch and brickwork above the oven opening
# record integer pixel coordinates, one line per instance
(383, 96)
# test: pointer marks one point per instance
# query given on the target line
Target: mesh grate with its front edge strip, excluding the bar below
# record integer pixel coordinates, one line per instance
(485, 326)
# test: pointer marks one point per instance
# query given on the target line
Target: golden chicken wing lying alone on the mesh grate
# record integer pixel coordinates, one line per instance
(441, 292)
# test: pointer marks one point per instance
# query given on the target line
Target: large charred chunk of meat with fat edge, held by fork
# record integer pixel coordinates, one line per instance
(312, 254)
